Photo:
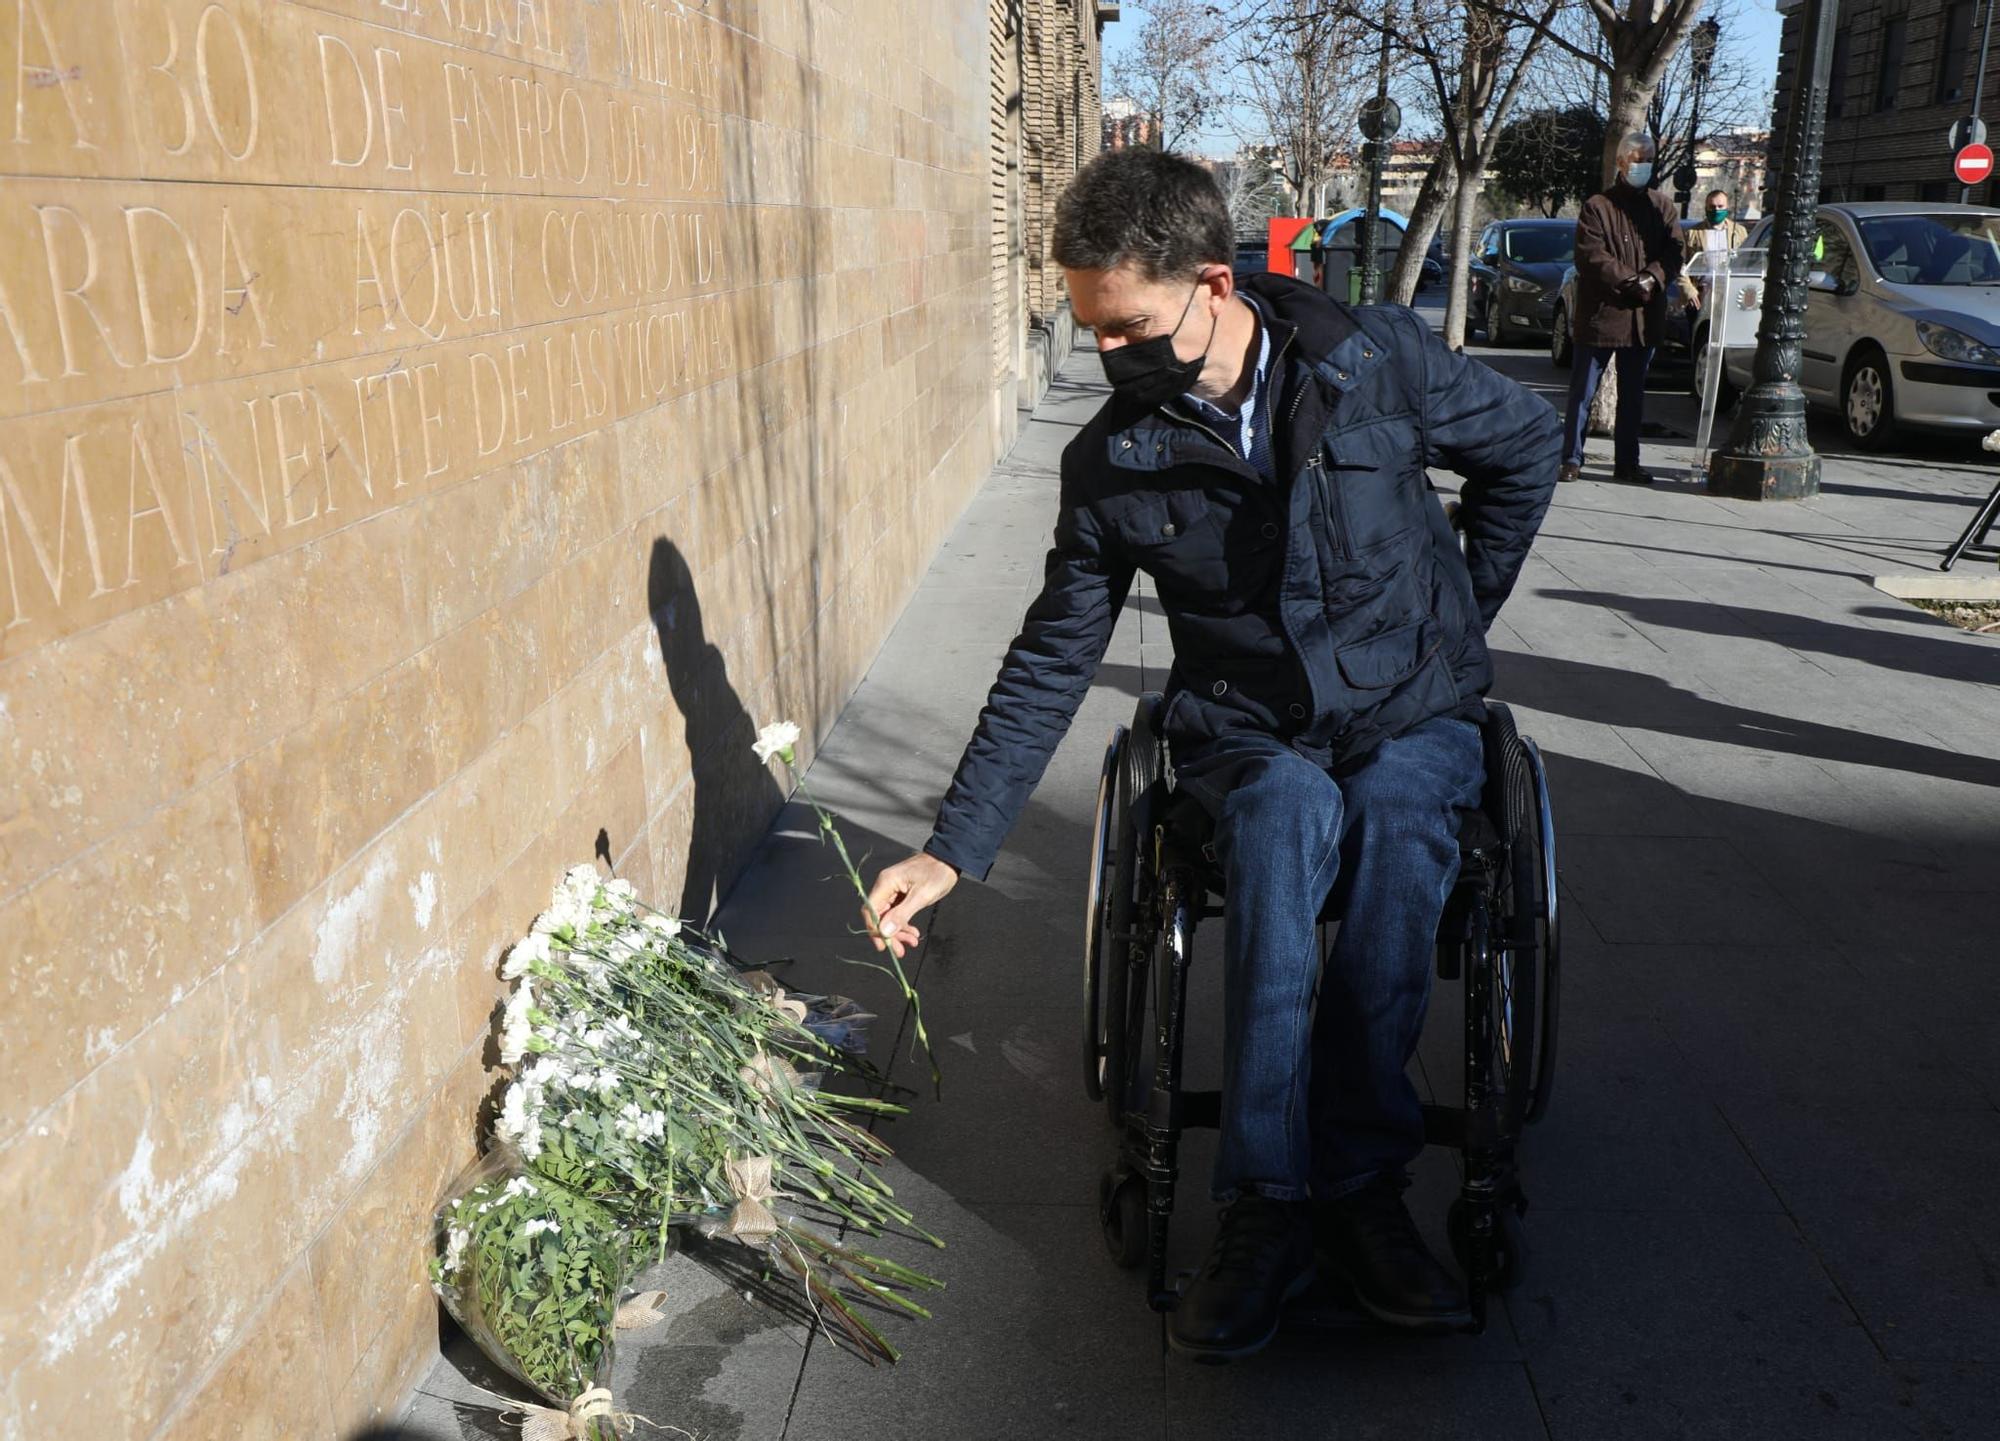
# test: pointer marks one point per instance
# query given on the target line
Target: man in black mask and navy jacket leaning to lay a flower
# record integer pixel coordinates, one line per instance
(1263, 457)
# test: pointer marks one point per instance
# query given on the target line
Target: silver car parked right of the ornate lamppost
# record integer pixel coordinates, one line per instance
(1903, 319)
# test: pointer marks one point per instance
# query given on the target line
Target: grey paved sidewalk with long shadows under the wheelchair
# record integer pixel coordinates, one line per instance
(1761, 1198)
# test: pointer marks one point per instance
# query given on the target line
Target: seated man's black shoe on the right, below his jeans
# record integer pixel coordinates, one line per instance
(1371, 1240)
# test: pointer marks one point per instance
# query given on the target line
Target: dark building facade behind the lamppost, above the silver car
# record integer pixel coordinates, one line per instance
(1903, 73)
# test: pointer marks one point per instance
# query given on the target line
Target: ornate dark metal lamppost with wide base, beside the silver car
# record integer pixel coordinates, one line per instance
(1769, 455)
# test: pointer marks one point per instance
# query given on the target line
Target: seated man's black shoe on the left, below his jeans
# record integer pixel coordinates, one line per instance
(1263, 1258)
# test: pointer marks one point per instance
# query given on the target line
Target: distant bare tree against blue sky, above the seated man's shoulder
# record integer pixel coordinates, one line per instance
(1301, 71)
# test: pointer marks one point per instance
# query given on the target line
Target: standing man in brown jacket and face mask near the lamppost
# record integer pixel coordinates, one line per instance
(1627, 261)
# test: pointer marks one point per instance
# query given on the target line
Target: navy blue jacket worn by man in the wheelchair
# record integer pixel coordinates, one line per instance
(1331, 609)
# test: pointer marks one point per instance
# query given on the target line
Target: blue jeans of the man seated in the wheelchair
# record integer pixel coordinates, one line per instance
(1319, 1102)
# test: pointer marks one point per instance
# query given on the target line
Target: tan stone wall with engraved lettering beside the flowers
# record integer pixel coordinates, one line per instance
(433, 433)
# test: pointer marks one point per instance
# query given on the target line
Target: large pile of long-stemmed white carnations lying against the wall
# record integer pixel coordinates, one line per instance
(673, 1090)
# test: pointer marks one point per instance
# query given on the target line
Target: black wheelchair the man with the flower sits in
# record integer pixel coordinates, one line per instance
(1155, 878)
